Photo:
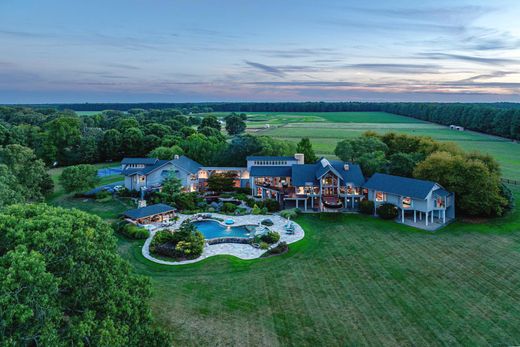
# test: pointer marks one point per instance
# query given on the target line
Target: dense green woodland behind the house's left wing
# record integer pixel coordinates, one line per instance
(62, 138)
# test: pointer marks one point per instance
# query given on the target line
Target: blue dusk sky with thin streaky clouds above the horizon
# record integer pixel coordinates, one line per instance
(202, 50)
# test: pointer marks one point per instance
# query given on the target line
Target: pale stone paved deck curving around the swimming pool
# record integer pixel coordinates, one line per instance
(241, 251)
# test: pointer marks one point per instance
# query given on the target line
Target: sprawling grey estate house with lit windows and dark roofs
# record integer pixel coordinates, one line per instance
(323, 186)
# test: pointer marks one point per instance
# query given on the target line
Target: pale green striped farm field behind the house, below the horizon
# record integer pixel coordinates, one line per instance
(326, 129)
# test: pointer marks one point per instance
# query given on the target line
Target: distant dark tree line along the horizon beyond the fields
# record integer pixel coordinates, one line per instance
(500, 119)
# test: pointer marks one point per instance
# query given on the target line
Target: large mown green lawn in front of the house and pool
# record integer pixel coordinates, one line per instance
(353, 280)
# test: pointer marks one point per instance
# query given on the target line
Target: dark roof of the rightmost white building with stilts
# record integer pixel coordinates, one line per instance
(404, 186)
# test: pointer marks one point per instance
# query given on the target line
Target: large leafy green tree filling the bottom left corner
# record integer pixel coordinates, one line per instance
(63, 283)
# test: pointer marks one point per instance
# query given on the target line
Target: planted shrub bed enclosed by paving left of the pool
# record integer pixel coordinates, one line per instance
(185, 243)
